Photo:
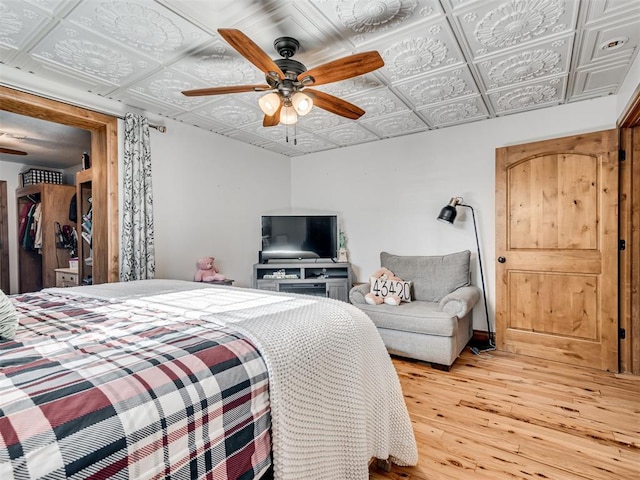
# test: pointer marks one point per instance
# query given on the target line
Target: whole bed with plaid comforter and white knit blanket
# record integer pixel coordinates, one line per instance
(169, 379)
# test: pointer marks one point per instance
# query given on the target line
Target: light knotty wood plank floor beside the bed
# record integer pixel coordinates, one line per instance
(500, 416)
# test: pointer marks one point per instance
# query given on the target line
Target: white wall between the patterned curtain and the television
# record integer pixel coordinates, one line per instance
(209, 193)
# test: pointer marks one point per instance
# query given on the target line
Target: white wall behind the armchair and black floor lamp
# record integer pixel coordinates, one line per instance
(388, 194)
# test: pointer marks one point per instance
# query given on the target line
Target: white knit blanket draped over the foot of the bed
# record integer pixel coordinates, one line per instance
(336, 400)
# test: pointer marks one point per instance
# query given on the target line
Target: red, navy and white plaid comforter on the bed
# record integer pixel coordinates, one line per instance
(97, 389)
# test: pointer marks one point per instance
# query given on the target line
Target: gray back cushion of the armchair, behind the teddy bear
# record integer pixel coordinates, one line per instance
(433, 277)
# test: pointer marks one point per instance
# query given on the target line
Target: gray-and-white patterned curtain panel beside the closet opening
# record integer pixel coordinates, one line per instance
(137, 243)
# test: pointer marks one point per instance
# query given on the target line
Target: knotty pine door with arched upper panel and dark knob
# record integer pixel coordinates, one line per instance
(557, 249)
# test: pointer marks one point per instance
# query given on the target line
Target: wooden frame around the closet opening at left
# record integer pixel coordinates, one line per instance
(104, 169)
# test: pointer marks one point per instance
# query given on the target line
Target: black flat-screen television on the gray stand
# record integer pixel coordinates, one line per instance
(299, 237)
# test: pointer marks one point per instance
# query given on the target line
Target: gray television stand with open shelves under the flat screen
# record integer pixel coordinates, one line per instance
(320, 278)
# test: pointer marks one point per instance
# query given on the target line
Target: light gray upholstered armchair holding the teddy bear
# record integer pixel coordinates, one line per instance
(436, 325)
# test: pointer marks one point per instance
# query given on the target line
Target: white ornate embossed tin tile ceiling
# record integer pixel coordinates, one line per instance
(447, 62)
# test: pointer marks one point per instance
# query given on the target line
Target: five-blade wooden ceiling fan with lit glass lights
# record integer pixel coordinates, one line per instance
(288, 80)
